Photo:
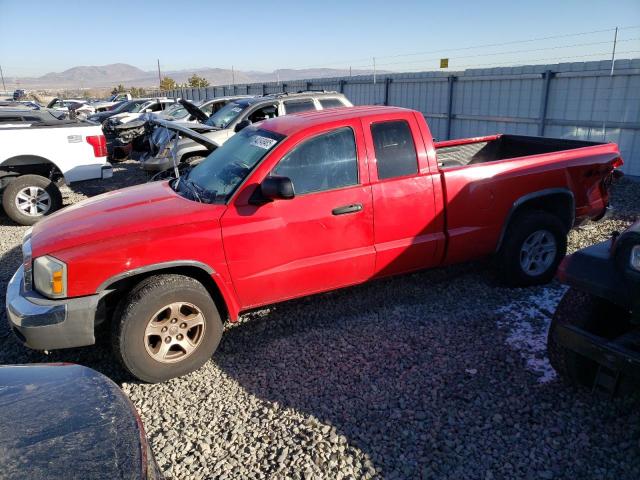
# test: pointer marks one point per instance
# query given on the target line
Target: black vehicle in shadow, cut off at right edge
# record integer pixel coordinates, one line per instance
(594, 339)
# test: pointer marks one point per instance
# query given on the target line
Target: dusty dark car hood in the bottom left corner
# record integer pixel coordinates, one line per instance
(68, 421)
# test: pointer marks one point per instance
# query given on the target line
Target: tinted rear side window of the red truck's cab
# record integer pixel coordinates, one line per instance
(395, 149)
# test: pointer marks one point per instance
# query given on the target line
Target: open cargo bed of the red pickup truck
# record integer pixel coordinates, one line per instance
(470, 151)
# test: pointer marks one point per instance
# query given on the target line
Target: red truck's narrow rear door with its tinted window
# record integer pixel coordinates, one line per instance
(407, 231)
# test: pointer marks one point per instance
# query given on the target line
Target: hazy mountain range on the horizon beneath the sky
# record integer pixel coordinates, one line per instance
(121, 73)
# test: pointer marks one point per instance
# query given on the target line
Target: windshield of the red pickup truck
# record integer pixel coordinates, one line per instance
(215, 179)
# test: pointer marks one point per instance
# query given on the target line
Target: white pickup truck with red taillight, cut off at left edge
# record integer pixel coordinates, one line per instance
(36, 151)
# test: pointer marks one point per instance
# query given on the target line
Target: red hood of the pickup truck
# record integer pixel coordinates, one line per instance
(119, 213)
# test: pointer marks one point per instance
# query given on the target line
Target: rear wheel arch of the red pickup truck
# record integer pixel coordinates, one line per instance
(556, 201)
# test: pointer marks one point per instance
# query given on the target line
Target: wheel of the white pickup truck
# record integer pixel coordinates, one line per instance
(29, 198)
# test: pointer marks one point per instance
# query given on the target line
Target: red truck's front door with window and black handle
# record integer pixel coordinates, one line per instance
(319, 240)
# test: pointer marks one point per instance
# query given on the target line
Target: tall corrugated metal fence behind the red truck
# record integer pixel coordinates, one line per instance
(570, 100)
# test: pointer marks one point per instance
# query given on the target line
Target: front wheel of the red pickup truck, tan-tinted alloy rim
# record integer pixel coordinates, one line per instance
(146, 310)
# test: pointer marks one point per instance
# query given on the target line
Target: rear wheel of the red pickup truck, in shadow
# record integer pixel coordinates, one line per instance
(544, 236)
